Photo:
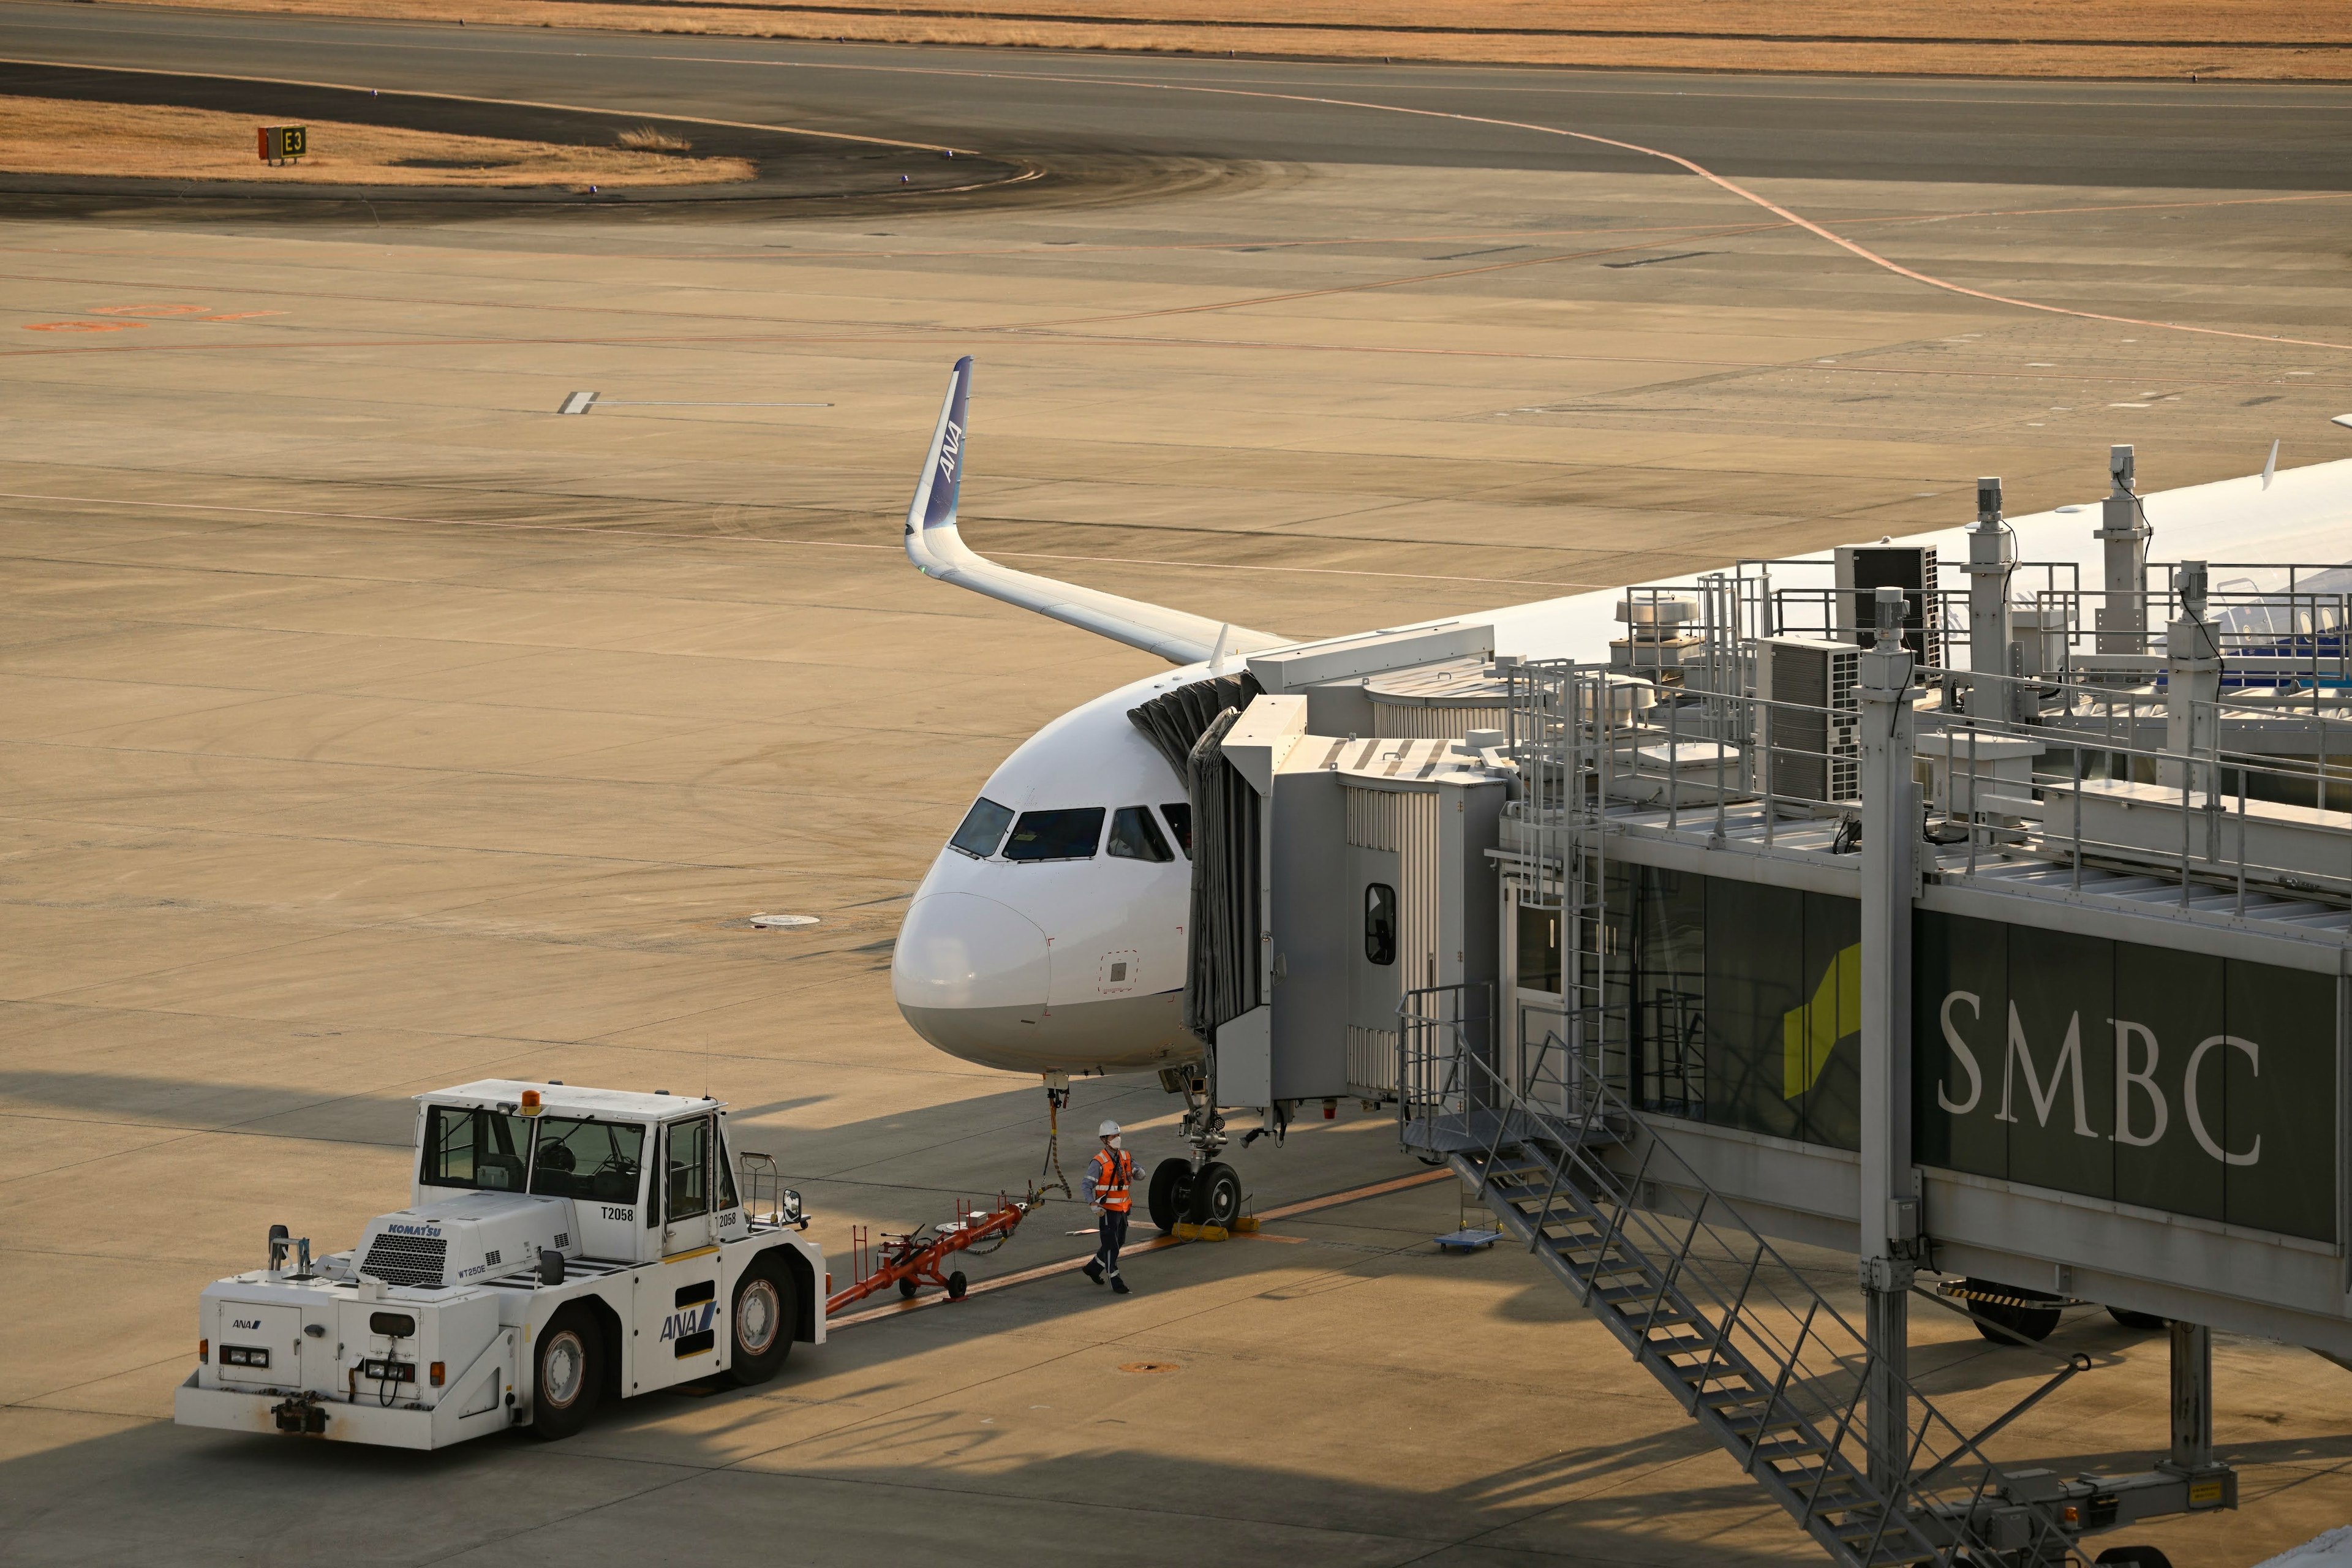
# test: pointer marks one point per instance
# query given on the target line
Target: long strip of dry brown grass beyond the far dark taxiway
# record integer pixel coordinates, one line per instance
(2160, 39)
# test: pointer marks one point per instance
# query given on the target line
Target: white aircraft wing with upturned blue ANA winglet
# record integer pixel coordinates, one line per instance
(935, 544)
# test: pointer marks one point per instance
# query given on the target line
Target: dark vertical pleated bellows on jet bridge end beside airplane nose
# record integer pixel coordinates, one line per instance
(1222, 939)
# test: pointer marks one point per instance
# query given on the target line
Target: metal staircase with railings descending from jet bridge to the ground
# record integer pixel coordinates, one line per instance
(1730, 1327)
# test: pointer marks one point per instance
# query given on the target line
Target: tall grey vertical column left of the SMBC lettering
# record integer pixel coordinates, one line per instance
(1890, 1195)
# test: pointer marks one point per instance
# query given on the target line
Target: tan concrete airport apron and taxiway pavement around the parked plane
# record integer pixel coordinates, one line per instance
(368, 725)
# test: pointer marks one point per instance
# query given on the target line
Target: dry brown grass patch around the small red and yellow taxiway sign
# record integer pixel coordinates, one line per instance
(123, 140)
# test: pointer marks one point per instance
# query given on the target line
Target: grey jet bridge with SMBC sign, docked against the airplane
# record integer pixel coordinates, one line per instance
(1956, 916)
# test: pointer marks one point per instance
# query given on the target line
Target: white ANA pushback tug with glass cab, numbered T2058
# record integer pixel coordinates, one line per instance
(561, 1247)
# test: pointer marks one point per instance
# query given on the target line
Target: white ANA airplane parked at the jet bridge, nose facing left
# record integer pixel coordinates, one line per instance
(1050, 932)
